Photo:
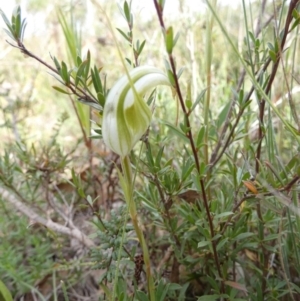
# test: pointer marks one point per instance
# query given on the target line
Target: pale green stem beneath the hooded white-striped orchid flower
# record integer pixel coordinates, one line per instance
(128, 193)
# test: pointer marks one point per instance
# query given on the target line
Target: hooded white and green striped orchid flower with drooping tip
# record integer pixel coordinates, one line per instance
(126, 116)
